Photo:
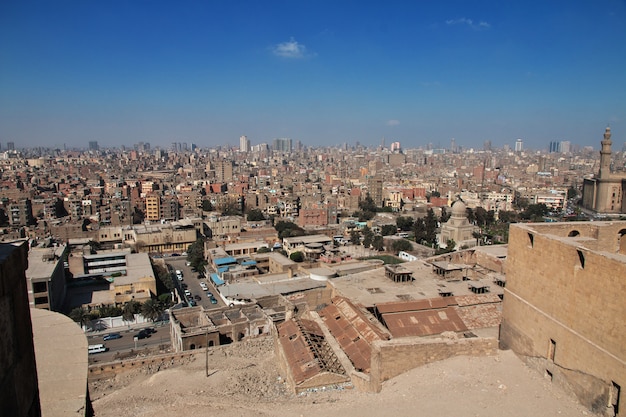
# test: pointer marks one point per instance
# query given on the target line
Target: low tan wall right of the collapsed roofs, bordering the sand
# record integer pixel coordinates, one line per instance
(394, 357)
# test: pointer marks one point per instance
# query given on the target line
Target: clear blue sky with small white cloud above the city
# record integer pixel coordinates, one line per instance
(322, 72)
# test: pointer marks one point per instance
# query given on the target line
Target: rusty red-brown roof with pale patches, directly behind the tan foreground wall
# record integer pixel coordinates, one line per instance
(424, 322)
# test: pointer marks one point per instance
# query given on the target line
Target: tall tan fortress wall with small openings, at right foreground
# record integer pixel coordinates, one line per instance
(564, 308)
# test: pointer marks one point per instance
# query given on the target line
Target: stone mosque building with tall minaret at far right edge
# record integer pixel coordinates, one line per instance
(605, 193)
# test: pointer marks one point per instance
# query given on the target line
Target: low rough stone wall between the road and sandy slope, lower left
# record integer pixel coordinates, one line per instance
(152, 363)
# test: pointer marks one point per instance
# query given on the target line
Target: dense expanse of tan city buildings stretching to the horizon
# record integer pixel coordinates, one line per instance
(277, 232)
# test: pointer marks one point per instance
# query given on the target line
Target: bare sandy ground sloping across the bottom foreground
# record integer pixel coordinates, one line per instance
(244, 381)
